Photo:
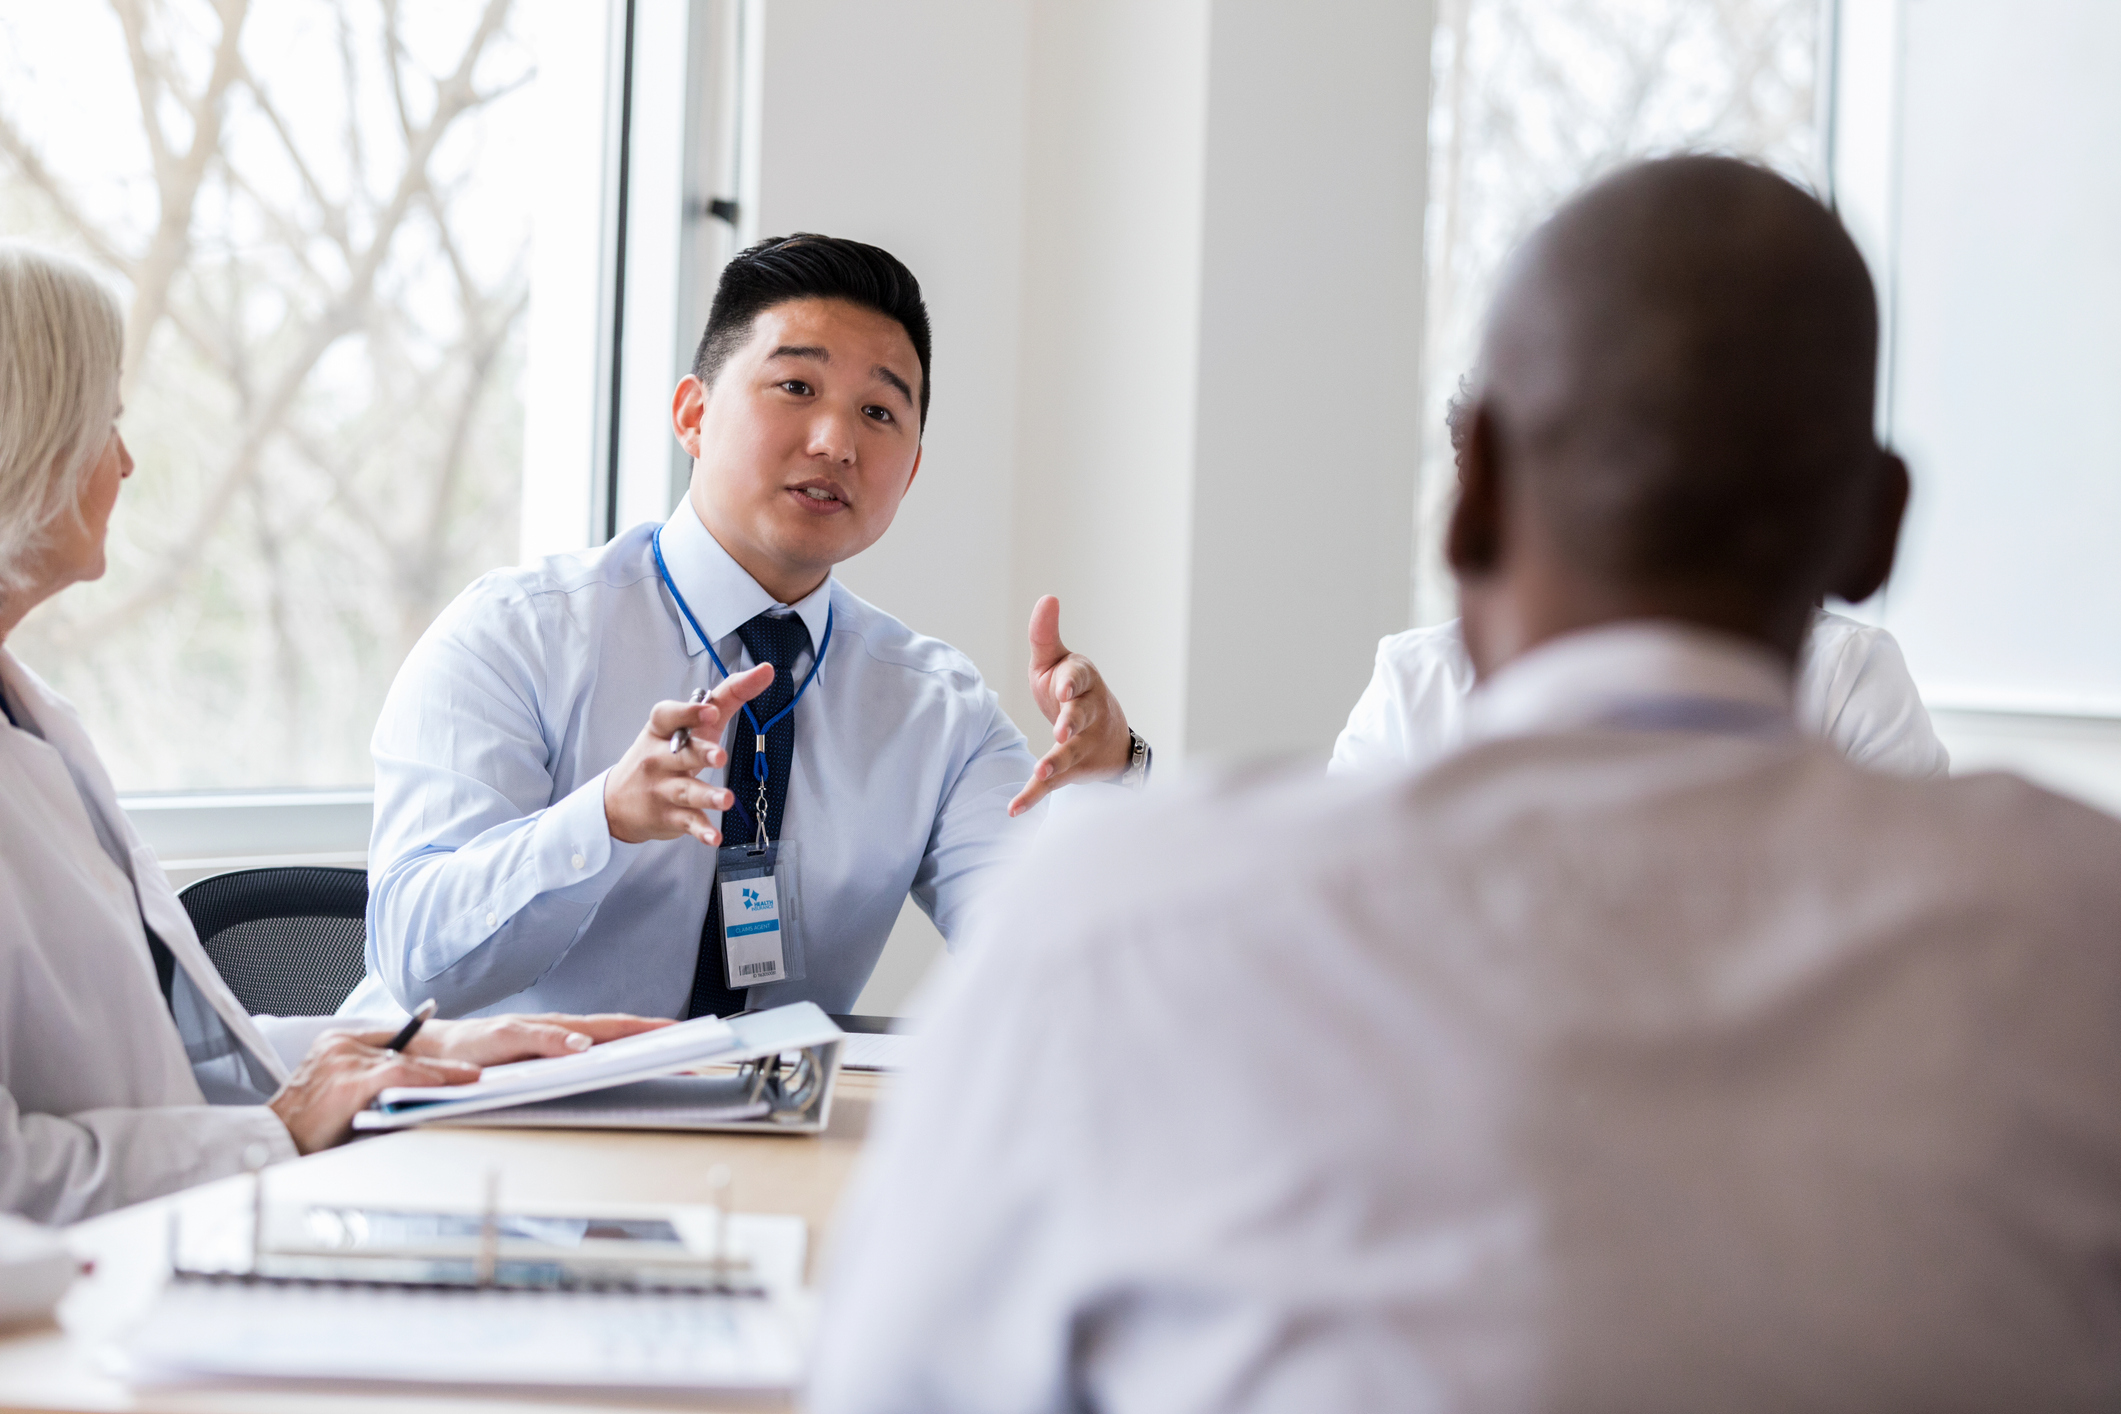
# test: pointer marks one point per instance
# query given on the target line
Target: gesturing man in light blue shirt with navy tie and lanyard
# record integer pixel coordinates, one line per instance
(546, 843)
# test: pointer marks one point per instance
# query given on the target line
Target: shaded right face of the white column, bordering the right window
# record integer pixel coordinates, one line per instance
(1308, 444)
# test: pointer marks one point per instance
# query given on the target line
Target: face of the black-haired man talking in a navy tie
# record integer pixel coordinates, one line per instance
(807, 442)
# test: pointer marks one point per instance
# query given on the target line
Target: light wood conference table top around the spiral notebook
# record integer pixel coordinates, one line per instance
(52, 1366)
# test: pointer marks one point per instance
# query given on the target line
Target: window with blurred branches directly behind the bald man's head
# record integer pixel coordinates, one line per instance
(1532, 99)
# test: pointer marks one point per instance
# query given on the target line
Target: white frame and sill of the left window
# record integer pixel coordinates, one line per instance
(673, 211)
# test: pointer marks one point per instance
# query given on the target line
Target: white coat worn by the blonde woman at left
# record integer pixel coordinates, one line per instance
(105, 1097)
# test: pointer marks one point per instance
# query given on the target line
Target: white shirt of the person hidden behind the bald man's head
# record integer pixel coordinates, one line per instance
(1853, 692)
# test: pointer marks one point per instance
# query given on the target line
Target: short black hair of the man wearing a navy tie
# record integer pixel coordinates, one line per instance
(807, 266)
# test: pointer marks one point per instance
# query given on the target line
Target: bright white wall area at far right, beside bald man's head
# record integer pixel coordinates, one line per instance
(1974, 164)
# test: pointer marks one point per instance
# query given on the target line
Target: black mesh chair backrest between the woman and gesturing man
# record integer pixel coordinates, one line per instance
(292, 940)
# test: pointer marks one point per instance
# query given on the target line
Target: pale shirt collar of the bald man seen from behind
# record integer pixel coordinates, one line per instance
(1594, 675)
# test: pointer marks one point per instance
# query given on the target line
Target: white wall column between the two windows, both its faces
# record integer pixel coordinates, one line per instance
(1223, 328)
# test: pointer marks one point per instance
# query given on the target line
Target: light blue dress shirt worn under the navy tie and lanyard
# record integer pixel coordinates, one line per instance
(495, 883)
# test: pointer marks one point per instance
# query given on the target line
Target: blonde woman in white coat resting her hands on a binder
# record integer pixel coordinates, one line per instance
(126, 1065)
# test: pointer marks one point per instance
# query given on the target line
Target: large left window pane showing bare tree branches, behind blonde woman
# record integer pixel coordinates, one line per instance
(319, 215)
